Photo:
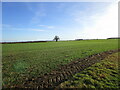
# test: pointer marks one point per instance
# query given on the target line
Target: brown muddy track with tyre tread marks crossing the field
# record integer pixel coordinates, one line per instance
(54, 78)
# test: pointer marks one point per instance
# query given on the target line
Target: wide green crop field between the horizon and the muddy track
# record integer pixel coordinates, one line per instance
(26, 60)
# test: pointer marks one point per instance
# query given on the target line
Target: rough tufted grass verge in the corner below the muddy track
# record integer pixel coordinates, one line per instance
(100, 75)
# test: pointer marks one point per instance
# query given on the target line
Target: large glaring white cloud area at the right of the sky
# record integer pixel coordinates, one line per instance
(104, 25)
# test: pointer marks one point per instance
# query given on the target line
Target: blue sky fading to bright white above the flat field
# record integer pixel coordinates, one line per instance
(32, 21)
